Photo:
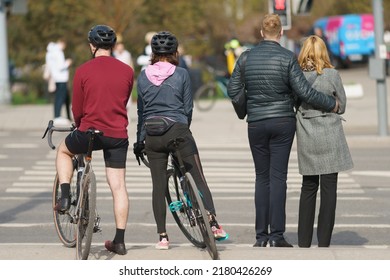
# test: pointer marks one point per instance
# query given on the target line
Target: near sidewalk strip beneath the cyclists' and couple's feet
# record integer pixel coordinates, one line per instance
(189, 252)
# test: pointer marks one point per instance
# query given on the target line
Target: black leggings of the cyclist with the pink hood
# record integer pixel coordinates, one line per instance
(158, 152)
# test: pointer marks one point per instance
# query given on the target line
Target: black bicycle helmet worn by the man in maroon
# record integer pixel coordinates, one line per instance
(102, 36)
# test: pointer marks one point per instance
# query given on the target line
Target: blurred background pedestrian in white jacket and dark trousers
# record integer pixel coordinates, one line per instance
(58, 67)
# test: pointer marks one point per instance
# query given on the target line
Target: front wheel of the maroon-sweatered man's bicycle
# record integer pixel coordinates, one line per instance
(64, 224)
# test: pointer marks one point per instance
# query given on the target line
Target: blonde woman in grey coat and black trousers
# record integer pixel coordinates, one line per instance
(322, 147)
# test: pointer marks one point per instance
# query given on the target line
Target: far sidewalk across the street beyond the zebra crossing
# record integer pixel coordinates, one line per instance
(361, 126)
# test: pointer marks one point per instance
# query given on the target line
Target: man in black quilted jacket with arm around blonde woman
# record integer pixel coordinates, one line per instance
(272, 75)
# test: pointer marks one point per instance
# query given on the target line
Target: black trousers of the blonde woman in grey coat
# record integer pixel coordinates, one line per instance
(307, 208)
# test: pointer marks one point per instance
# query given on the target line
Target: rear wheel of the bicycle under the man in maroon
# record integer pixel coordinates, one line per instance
(87, 215)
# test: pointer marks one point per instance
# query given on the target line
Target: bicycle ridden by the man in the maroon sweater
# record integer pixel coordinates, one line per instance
(76, 225)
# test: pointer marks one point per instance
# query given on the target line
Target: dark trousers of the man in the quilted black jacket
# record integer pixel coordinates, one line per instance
(270, 142)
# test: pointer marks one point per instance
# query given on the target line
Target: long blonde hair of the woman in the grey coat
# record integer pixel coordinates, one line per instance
(314, 55)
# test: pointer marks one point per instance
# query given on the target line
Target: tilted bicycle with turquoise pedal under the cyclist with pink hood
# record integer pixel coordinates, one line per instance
(185, 202)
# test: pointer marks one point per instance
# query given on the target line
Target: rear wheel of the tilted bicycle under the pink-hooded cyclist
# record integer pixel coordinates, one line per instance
(202, 217)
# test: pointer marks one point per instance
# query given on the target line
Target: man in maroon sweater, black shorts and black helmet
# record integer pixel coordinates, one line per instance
(101, 89)
